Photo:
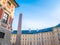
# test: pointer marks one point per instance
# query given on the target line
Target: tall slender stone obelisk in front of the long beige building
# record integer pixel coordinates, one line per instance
(18, 38)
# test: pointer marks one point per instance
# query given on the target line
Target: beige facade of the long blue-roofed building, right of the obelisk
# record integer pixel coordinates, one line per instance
(45, 38)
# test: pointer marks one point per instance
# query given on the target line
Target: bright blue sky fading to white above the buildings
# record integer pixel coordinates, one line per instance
(37, 14)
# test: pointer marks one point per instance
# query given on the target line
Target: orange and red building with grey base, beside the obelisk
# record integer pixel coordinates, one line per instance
(7, 8)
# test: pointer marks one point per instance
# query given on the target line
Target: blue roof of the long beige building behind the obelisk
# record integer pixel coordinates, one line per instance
(33, 31)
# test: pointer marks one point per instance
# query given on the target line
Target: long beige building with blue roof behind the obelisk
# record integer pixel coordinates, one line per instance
(47, 36)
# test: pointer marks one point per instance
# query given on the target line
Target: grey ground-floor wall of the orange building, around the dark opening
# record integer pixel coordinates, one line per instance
(6, 39)
